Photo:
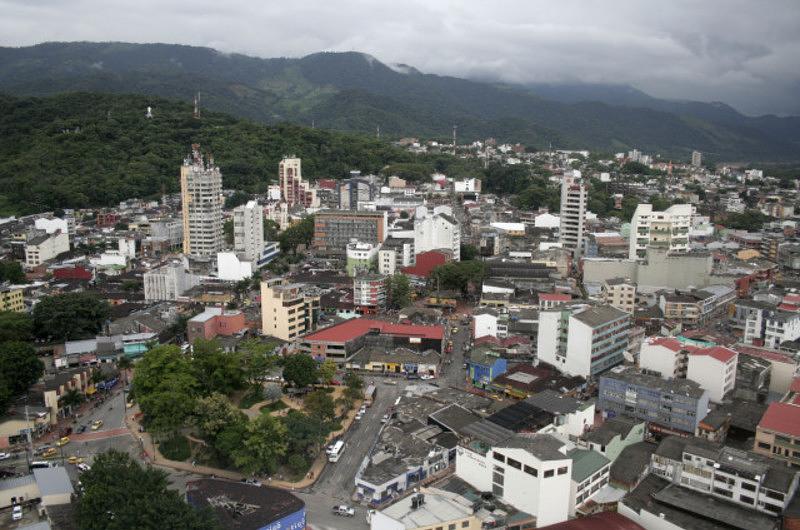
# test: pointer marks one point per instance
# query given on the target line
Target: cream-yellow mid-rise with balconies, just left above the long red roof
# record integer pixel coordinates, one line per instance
(288, 310)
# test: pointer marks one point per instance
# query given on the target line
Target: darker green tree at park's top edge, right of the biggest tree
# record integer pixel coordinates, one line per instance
(220, 371)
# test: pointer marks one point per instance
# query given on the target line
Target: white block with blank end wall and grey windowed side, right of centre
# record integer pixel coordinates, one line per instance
(583, 340)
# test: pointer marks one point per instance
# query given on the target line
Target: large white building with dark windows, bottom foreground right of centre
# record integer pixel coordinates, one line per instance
(531, 473)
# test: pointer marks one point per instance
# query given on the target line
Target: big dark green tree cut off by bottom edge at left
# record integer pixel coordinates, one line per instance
(120, 494)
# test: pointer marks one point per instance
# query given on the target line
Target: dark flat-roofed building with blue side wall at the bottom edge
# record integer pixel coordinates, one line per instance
(247, 507)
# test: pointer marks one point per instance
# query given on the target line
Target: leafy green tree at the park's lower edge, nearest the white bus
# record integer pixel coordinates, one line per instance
(264, 444)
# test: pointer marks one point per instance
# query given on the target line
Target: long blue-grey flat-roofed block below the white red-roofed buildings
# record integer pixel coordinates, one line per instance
(669, 406)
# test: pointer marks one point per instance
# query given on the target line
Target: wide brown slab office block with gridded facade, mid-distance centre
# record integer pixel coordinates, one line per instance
(334, 229)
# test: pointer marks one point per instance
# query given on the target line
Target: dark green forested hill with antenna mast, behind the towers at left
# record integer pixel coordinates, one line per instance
(83, 149)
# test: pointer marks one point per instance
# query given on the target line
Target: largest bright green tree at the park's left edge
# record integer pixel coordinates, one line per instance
(166, 388)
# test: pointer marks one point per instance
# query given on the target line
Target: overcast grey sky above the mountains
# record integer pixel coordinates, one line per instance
(745, 53)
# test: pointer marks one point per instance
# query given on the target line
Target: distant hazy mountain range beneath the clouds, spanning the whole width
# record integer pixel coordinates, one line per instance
(356, 92)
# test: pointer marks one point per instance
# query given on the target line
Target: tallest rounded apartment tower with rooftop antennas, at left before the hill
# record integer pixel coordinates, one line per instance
(201, 199)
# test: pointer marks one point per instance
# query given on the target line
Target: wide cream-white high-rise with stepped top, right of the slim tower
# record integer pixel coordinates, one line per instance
(668, 229)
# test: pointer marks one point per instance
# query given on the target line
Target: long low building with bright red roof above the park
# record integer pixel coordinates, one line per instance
(341, 341)
